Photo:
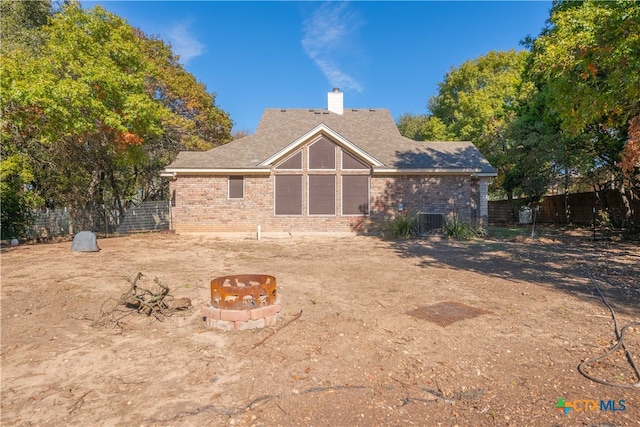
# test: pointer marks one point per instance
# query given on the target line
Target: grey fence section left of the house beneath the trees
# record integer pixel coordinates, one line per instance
(146, 216)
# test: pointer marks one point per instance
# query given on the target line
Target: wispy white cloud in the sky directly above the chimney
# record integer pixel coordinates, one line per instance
(327, 36)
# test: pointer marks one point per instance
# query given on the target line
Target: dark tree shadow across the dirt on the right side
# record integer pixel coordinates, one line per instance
(575, 264)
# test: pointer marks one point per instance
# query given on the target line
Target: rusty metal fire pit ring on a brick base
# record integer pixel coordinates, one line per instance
(240, 302)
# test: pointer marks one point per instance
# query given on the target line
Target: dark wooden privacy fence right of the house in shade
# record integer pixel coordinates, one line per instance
(578, 208)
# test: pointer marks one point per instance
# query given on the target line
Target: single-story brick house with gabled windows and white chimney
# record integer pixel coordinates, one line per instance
(325, 170)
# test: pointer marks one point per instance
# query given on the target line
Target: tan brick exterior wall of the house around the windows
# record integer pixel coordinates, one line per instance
(202, 203)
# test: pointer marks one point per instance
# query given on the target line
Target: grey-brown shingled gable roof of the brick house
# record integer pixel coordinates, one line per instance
(369, 134)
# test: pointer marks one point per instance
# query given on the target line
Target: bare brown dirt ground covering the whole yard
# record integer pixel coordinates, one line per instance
(358, 355)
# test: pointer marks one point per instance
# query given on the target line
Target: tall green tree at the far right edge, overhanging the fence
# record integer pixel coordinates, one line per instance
(588, 58)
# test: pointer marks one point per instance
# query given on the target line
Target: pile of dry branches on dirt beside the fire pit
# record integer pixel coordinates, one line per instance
(137, 299)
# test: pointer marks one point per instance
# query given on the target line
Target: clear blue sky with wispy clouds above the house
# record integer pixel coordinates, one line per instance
(257, 55)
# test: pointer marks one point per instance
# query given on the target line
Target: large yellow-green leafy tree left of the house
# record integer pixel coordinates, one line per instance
(99, 109)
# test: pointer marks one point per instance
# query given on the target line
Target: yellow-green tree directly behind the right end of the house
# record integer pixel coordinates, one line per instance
(477, 102)
